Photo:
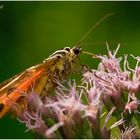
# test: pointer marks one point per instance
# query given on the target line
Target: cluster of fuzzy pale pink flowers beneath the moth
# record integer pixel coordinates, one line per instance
(76, 111)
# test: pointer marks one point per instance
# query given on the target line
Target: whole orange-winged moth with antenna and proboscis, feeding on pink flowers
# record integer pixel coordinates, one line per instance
(58, 65)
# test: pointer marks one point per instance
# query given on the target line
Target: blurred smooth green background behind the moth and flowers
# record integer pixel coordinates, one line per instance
(31, 31)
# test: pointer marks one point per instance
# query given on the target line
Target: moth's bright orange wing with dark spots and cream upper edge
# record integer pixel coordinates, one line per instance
(10, 90)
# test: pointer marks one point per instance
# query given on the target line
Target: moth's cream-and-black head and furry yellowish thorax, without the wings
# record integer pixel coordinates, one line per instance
(64, 61)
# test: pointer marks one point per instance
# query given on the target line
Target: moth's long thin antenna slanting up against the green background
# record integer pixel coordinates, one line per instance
(94, 26)
